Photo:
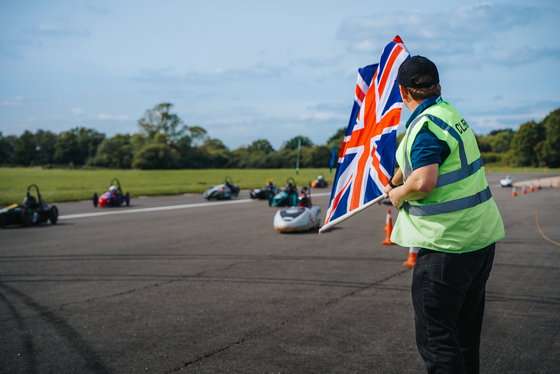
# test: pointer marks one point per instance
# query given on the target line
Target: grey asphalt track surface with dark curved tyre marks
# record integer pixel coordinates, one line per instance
(215, 289)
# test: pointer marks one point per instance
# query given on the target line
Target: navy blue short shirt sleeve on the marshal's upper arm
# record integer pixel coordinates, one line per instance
(428, 149)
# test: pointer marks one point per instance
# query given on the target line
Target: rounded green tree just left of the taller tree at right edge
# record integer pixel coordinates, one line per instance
(523, 144)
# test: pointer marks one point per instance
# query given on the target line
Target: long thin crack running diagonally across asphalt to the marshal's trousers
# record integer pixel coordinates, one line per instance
(289, 320)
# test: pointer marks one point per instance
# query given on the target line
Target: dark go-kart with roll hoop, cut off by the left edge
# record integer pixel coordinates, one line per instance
(31, 211)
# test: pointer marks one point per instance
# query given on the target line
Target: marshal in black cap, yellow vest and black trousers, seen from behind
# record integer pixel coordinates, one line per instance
(447, 210)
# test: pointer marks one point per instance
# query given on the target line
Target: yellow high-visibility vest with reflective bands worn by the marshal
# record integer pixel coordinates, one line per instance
(459, 215)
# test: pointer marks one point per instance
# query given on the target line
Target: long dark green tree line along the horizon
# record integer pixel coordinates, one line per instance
(165, 142)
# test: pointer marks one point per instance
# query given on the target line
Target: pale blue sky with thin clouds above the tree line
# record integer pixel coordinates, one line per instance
(248, 70)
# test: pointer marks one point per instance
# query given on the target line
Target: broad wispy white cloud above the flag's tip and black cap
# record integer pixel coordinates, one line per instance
(478, 33)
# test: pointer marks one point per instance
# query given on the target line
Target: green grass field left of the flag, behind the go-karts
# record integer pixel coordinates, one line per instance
(77, 184)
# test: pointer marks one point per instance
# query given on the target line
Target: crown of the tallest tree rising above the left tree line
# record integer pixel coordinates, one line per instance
(160, 120)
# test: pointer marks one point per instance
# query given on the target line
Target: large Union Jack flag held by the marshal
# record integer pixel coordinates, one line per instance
(367, 158)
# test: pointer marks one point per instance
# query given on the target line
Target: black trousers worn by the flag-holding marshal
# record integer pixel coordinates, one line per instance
(448, 295)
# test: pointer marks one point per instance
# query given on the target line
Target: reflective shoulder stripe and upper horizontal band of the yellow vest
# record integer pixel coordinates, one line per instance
(465, 171)
